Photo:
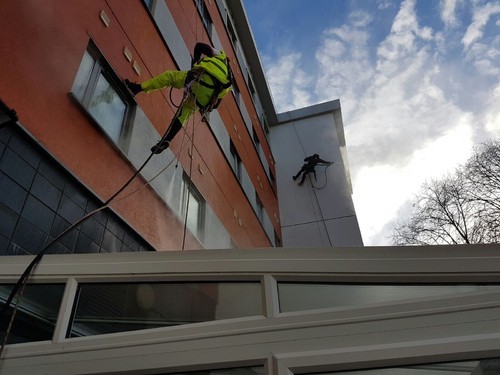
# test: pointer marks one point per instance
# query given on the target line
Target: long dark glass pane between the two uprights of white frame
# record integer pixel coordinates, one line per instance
(107, 308)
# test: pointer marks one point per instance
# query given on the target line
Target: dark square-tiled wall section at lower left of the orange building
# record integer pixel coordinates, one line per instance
(40, 204)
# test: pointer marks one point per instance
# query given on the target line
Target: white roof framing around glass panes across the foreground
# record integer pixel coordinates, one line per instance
(415, 331)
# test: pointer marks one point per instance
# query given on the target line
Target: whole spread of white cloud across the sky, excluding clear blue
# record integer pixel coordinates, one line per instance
(400, 102)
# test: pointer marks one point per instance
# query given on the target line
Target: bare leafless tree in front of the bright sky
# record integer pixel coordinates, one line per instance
(461, 208)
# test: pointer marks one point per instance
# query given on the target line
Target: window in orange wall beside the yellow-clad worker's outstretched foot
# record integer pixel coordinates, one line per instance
(97, 89)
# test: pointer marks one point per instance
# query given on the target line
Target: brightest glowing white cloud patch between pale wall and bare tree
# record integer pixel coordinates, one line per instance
(381, 190)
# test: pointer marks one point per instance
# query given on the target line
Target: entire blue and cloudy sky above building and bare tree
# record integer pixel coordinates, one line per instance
(418, 82)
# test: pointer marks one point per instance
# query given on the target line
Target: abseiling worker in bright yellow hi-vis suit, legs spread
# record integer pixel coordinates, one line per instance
(208, 81)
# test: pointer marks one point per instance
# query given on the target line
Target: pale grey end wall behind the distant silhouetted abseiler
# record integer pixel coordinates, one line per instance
(324, 200)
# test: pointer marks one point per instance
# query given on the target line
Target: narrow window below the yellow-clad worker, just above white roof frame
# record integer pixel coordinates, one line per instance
(193, 203)
